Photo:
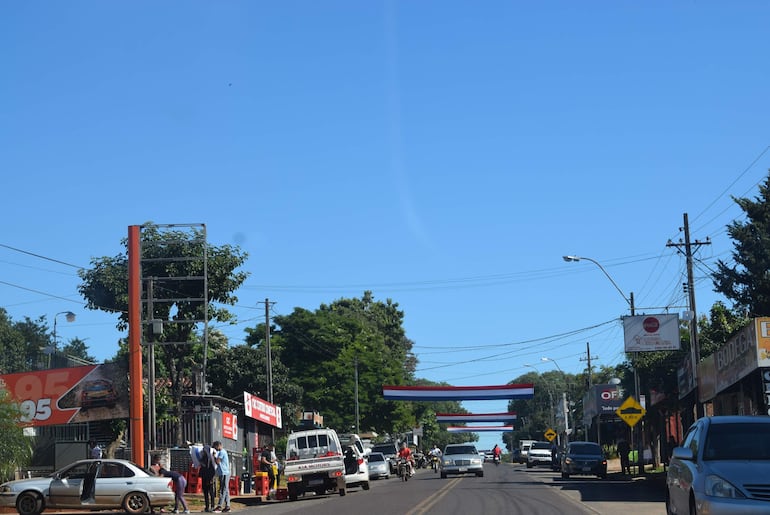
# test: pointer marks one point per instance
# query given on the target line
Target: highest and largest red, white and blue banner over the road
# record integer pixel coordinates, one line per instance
(458, 393)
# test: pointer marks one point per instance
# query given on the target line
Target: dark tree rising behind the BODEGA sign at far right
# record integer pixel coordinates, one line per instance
(746, 282)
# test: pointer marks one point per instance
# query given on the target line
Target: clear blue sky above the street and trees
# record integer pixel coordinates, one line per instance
(441, 154)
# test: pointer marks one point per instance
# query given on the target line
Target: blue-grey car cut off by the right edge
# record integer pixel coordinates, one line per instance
(722, 467)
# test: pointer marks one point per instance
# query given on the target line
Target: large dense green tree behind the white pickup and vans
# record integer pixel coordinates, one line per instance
(320, 350)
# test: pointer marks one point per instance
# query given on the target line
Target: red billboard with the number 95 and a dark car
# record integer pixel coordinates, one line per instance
(64, 395)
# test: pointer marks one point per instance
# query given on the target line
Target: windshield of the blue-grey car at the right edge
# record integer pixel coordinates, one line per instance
(738, 441)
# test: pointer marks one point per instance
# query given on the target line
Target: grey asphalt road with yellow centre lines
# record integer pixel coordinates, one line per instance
(508, 489)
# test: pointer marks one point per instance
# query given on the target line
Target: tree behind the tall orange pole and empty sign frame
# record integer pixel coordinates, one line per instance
(168, 254)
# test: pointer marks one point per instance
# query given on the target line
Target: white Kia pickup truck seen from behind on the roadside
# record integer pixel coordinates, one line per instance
(314, 463)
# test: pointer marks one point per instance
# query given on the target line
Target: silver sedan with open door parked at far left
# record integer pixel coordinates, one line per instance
(103, 484)
